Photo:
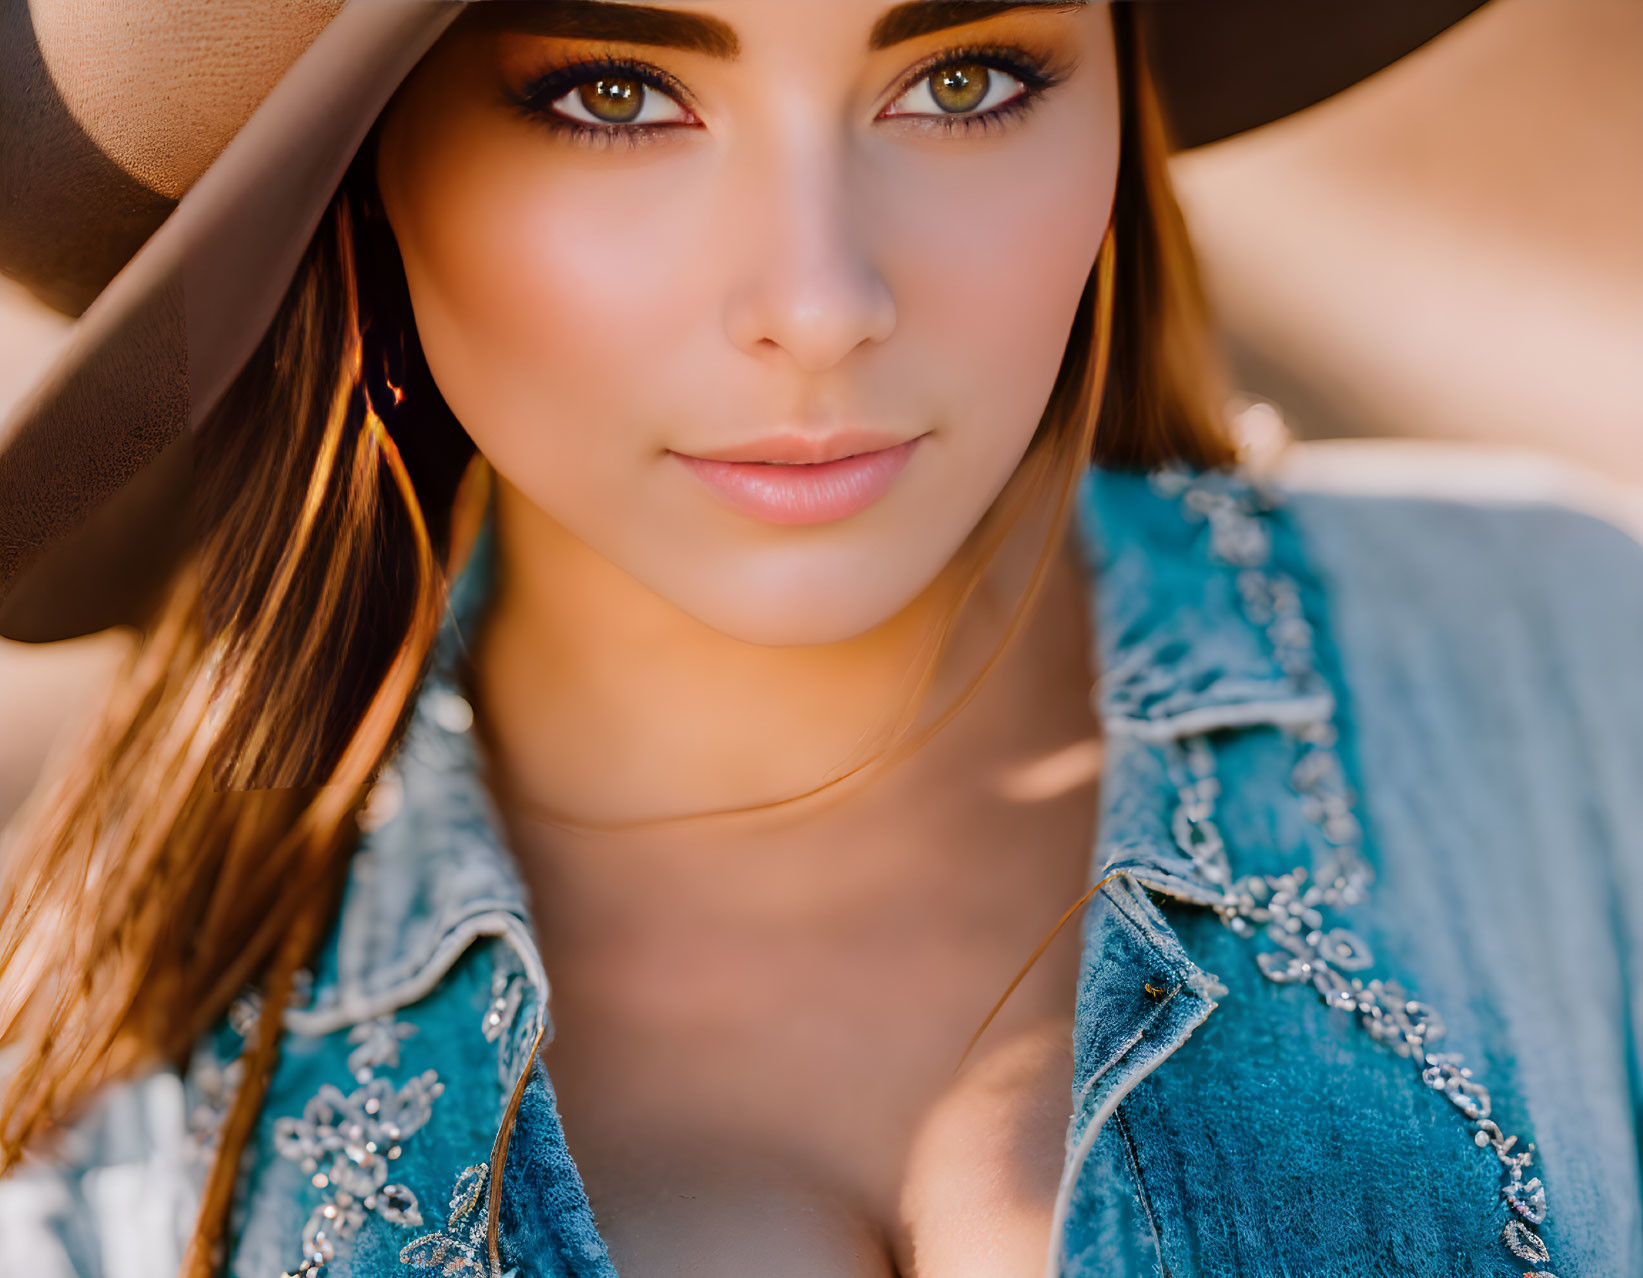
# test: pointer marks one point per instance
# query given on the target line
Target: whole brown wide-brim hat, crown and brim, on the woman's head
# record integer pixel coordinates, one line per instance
(163, 172)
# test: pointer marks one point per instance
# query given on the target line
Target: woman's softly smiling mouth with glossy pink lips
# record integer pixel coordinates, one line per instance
(768, 482)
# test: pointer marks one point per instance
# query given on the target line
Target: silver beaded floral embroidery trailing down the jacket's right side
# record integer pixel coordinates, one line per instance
(1286, 909)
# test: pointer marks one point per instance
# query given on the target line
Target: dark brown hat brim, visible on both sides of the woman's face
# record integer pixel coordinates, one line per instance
(94, 464)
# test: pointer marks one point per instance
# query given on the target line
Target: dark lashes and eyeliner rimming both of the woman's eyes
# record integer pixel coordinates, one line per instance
(538, 96)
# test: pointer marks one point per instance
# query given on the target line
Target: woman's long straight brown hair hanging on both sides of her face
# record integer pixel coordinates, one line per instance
(196, 840)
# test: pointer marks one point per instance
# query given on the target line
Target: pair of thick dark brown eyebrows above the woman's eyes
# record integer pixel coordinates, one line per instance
(628, 24)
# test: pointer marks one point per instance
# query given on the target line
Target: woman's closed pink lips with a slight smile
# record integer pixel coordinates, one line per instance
(804, 494)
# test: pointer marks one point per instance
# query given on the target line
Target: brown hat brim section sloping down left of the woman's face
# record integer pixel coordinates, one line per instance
(83, 545)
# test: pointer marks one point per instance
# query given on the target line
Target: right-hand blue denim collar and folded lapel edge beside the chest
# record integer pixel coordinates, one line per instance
(1199, 628)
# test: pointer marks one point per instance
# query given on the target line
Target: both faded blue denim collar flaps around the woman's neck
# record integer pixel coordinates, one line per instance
(1189, 640)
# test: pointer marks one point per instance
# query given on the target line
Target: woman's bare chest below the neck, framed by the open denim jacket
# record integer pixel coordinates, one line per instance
(755, 1052)
